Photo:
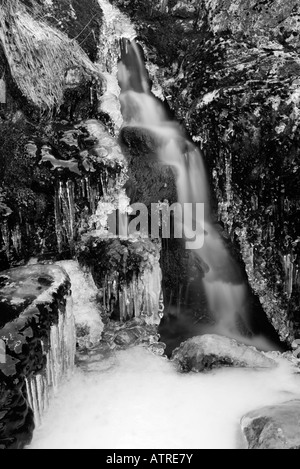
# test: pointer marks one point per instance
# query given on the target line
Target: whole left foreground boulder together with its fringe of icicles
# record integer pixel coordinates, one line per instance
(37, 338)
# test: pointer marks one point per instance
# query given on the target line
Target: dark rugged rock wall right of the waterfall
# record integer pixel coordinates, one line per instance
(230, 71)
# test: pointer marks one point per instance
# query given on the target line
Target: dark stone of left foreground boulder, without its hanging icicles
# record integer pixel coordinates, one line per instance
(31, 300)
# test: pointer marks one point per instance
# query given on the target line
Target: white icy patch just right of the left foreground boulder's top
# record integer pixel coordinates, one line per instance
(85, 308)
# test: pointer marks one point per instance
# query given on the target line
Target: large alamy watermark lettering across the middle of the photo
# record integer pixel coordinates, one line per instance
(180, 221)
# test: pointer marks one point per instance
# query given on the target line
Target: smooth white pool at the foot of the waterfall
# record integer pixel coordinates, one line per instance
(142, 402)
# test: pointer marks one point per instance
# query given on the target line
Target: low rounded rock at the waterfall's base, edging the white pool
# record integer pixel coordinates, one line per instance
(204, 353)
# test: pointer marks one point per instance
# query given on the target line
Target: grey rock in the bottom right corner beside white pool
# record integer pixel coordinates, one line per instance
(273, 427)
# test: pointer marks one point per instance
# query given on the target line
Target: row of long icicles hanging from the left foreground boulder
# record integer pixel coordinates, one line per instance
(60, 362)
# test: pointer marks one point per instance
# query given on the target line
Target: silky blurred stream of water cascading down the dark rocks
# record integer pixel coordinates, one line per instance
(224, 284)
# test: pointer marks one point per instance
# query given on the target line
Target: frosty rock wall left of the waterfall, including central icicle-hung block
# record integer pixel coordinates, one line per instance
(62, 169)
